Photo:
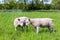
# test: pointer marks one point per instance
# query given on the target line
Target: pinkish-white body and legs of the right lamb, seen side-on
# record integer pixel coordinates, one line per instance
(42, 22)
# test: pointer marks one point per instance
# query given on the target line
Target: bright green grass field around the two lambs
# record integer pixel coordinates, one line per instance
(7, 31)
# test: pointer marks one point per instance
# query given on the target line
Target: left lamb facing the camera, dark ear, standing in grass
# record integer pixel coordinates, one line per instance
(21, 21)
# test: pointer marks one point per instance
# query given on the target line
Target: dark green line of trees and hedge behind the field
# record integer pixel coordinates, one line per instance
(32, 6)
